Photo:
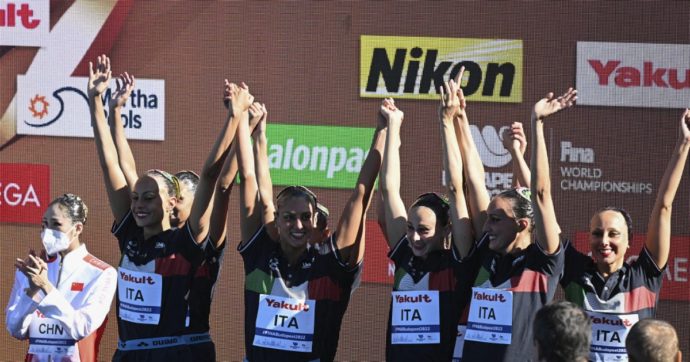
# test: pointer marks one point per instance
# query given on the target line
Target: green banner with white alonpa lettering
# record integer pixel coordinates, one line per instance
(318, 156)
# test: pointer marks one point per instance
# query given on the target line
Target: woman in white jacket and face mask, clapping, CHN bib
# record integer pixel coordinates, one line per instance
(60, 300)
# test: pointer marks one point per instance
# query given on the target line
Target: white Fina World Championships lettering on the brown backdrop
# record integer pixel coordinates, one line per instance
(579, 174)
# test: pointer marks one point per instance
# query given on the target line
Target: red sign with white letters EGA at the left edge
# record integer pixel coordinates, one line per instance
(24, 192)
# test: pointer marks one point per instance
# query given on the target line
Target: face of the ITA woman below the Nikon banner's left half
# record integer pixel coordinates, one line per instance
(423, 233)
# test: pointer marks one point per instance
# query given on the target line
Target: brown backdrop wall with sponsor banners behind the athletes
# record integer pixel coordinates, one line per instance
(322, 69)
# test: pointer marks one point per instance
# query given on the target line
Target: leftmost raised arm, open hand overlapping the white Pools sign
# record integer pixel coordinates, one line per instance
(115, 183)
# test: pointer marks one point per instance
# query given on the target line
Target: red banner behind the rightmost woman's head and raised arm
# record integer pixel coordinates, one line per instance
(675, 285)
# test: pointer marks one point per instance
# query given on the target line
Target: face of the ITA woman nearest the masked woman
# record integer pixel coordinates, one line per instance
(151, 205)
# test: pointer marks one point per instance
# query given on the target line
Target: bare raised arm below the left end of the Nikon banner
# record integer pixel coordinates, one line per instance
(389, 184)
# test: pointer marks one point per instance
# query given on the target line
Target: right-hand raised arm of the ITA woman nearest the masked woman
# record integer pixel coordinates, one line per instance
(200, 215)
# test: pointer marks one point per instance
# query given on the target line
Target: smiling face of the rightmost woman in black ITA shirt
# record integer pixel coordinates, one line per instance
(608, 240)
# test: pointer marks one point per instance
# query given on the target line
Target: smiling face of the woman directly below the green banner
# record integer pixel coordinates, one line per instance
(295, 219)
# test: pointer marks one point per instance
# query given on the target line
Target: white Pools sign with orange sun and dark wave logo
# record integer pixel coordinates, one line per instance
(61, 108)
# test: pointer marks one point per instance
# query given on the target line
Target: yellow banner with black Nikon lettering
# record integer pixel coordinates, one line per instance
(416, 67)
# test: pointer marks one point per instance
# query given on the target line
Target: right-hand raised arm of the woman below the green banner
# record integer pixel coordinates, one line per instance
(350, 231)
